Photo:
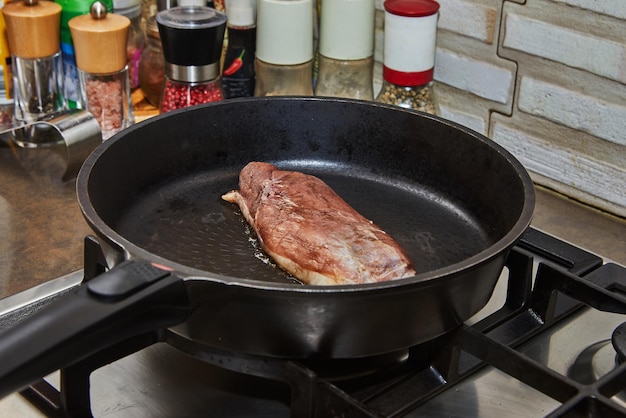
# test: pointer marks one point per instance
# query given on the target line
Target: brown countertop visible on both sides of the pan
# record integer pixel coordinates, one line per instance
(42, 229)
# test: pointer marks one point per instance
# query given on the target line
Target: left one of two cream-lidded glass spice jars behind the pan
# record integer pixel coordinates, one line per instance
(284, 48)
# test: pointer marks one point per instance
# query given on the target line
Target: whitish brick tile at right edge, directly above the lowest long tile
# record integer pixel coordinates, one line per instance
(573, 109)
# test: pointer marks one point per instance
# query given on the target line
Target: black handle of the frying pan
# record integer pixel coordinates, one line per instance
(130, 299)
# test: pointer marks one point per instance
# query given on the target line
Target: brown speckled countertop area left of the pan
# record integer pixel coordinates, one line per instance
(41, 225)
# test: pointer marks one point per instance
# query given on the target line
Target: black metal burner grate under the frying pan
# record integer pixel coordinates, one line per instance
(399, 382)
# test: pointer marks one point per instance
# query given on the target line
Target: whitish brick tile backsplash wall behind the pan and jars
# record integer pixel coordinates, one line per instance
(546, 79)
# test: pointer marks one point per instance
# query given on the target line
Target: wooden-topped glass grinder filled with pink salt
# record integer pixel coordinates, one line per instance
(100, 40)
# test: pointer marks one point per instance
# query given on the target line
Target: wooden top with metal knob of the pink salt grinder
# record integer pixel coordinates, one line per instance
(100, 40)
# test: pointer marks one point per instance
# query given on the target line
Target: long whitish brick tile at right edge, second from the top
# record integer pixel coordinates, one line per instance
(600, 56)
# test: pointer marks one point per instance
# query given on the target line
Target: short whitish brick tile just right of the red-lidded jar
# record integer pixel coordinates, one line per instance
(483, 79)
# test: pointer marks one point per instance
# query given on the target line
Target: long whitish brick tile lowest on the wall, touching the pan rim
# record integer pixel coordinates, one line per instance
(570, 168)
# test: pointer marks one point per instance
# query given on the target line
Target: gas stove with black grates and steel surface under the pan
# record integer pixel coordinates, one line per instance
(551, 342)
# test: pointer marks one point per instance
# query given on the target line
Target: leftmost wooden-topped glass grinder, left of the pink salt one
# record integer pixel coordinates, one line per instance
(33, 31)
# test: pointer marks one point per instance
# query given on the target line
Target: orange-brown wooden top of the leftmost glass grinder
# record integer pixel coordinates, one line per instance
(33, 28)
